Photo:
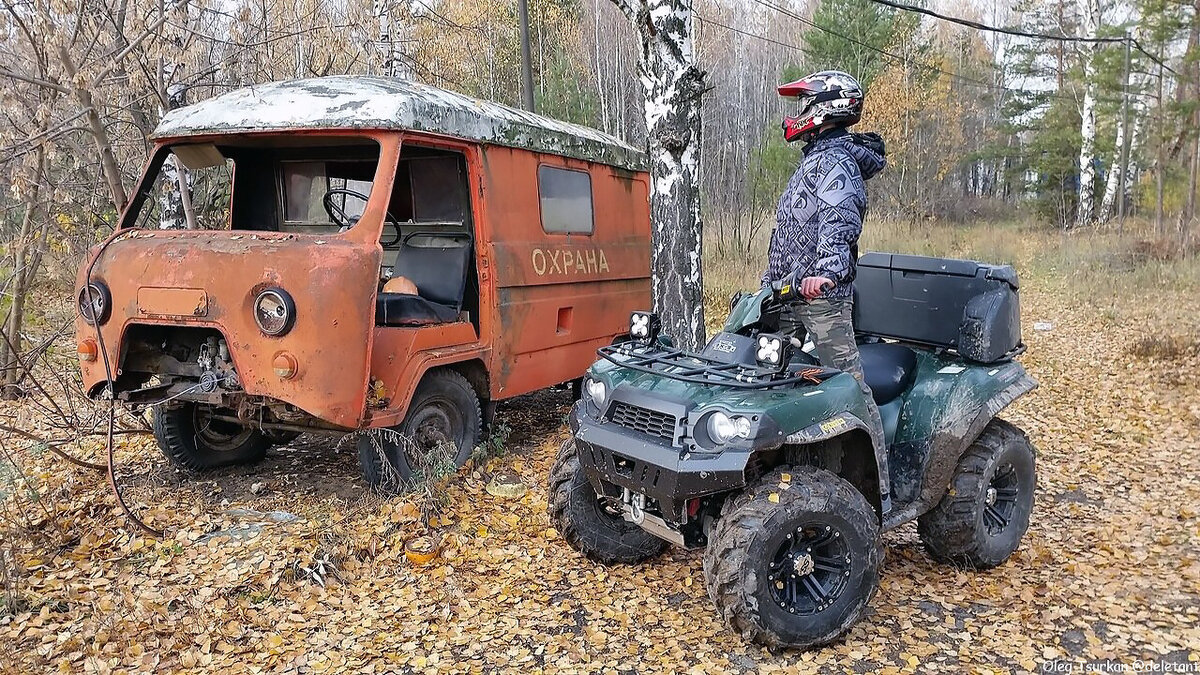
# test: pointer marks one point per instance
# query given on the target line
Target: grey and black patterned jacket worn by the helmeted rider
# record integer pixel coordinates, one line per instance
(821, 213)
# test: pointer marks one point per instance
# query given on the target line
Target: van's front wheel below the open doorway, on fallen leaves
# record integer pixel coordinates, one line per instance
(439, 435)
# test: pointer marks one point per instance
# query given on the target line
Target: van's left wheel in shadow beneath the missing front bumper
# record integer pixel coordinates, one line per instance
(194, 441)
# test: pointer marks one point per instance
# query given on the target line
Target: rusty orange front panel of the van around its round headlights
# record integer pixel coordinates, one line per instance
(211, 279)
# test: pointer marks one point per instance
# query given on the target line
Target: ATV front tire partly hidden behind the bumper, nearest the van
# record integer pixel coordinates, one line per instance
(578, 515)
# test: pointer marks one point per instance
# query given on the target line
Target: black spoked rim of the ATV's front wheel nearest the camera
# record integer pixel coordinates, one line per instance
(811, 570)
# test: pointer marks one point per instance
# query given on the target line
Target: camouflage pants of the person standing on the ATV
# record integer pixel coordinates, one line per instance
(829, 325)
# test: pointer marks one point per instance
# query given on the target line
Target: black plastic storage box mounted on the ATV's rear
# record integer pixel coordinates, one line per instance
(961, 306)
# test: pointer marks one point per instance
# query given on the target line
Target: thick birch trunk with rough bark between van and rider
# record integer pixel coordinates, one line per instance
(673, 87)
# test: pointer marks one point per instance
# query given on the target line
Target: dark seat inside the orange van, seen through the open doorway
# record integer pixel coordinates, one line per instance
(436, 262)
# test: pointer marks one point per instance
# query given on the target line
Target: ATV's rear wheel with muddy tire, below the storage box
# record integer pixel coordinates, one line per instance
(982, 518)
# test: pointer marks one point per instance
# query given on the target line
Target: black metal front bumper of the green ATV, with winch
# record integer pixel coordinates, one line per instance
(669, 475)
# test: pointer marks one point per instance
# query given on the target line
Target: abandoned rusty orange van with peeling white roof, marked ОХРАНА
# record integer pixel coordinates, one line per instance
(262, 301)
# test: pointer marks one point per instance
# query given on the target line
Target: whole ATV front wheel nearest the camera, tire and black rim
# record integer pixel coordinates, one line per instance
(795, 559)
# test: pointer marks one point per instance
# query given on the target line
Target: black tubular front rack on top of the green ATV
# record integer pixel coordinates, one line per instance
(698, 369)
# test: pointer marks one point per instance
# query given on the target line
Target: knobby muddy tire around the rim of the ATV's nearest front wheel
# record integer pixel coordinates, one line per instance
(753, 530)
